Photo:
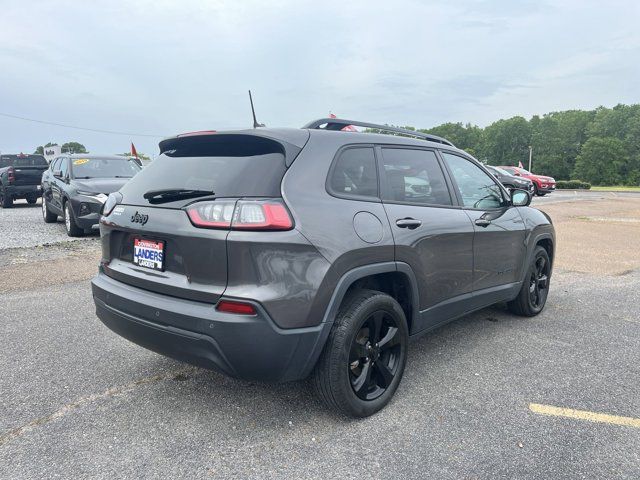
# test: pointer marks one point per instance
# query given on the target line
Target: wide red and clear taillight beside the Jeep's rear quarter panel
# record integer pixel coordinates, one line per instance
(241, 215)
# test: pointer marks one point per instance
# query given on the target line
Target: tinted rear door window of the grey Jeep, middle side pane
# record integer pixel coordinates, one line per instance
(414, 176)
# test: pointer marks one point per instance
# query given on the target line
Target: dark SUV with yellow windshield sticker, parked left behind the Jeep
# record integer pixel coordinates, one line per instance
(76, 186)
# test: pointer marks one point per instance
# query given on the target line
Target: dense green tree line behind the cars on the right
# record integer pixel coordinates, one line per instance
(600, 146)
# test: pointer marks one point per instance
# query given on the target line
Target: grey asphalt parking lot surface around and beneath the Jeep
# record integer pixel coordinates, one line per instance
(78, 401)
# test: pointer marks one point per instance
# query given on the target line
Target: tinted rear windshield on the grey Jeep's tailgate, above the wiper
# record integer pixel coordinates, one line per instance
(229, 165)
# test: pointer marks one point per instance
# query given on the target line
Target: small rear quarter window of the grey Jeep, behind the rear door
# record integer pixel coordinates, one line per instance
(355, 173)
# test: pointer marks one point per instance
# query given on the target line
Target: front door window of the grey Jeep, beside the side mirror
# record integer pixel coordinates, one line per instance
(477, 189)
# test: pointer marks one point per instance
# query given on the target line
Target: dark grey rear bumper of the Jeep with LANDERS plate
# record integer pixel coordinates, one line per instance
(247, 347)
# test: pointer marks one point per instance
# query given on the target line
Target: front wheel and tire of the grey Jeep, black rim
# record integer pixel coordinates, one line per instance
(533, 295)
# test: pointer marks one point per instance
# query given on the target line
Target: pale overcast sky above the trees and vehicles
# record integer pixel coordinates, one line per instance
(162, 67)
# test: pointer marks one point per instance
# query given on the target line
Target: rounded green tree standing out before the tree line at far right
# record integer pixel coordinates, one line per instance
(601, 161)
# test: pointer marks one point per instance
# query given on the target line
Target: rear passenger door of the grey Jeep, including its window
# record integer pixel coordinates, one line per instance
(431, 234)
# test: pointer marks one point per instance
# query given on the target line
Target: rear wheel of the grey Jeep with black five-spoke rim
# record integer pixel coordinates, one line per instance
(355, 376)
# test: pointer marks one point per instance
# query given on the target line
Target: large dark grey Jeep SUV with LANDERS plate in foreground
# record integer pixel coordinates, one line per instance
(275, 254)
